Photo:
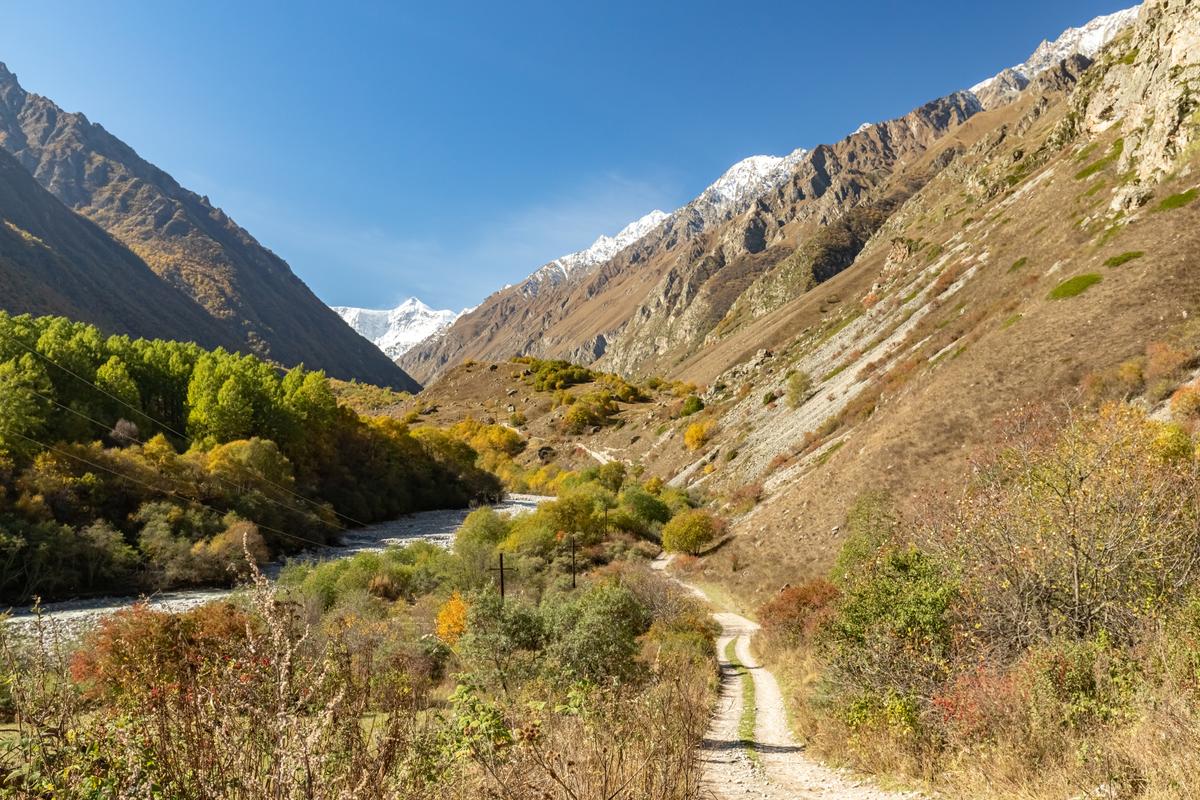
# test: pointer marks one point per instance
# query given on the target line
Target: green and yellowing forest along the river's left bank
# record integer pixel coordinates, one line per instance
(129, 465)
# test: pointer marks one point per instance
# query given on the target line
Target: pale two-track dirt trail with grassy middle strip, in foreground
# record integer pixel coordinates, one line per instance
(773, 766)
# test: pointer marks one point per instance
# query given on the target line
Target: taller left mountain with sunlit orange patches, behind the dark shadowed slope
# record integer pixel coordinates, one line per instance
(249, 292)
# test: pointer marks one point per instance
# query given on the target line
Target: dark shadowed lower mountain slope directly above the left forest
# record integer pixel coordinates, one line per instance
(55, 262)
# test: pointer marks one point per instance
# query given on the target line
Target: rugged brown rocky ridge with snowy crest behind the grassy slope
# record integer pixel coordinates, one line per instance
(766, 231)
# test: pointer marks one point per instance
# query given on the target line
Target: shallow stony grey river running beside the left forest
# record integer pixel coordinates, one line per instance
(437, 527)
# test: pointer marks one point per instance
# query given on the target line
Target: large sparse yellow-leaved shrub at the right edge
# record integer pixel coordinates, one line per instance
(1077, 534)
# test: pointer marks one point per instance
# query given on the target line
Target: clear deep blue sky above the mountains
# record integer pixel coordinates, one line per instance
(446, 149)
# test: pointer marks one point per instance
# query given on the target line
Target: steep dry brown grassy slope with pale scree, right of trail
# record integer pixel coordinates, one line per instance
(1058, 246)
